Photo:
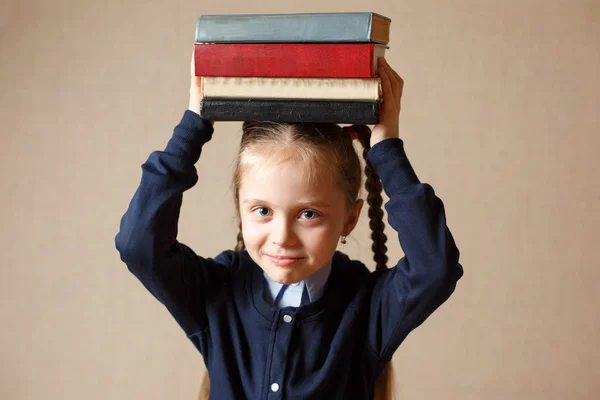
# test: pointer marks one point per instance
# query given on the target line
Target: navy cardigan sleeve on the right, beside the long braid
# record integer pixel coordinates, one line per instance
(405, 295)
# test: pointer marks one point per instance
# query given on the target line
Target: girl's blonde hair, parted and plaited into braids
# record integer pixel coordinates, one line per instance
(324, 147)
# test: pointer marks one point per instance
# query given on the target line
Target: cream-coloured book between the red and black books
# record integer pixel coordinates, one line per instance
(350, 89)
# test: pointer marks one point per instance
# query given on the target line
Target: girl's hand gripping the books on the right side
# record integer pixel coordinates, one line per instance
(389, 109)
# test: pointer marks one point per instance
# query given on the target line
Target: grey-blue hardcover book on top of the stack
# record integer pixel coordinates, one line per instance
(351, 27)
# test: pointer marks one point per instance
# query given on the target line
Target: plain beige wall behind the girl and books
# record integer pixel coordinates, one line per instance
(500, 116)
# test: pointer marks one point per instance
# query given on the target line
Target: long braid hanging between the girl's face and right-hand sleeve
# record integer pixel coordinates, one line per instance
(375, 201)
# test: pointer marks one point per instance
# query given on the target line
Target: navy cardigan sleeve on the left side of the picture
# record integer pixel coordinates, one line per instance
(147, 240)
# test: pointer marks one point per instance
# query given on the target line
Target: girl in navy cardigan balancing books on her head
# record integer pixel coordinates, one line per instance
(285, 315)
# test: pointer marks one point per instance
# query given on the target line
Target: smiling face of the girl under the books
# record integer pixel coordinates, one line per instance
(291, 227)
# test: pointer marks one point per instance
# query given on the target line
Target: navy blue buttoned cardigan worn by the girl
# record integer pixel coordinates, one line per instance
(333, 348)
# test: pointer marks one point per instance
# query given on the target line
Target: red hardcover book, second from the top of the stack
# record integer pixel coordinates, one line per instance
(302, 60)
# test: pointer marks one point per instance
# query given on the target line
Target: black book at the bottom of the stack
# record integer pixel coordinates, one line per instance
(290, 111)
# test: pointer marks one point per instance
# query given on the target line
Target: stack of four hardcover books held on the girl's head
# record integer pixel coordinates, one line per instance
(312, 67)
